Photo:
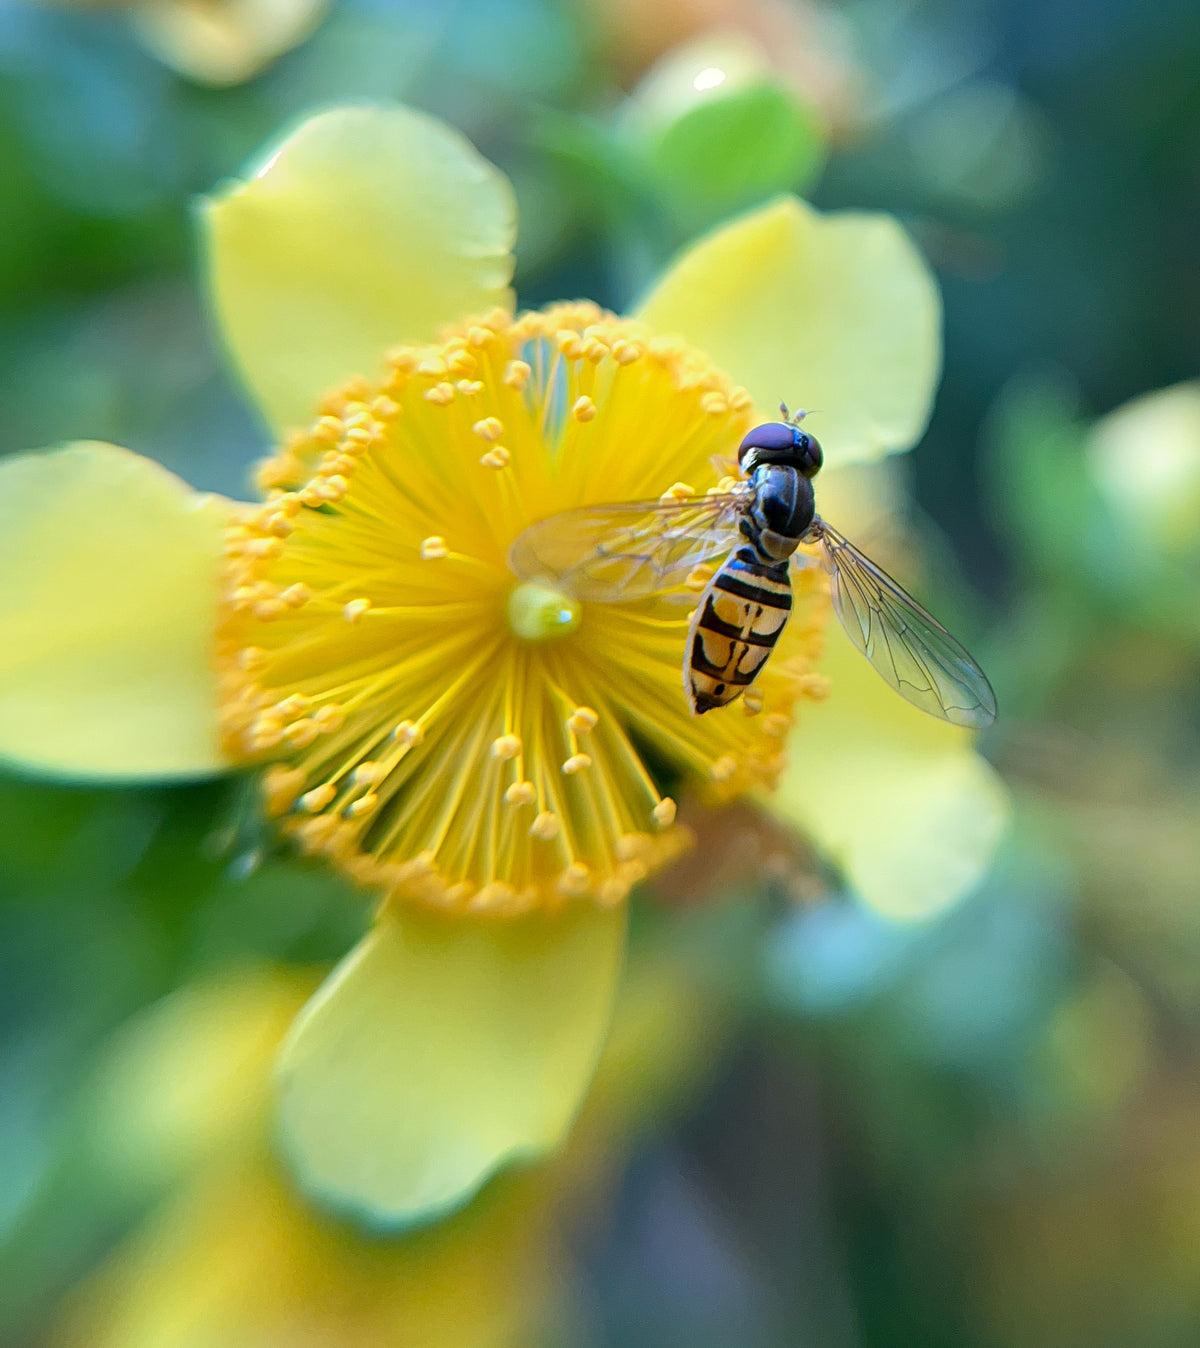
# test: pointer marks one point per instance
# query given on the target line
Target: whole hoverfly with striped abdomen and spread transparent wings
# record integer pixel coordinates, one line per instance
(630, 551)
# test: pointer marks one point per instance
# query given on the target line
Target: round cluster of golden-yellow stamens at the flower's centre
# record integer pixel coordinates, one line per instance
(466, 739)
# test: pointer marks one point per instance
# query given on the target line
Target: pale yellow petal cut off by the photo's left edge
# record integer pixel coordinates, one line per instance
(109, 595)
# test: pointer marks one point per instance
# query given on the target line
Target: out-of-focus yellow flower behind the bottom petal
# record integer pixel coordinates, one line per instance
(231, 1254)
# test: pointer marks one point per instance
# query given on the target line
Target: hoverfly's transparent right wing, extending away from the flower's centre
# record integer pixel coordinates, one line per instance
(908, 646)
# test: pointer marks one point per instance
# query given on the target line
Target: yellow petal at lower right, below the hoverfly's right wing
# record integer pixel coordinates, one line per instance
(897, 799)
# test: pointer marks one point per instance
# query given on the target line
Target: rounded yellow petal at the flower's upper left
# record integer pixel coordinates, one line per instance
(367, 227)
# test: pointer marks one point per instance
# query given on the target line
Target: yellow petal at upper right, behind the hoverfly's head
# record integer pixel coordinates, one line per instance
(837, 313)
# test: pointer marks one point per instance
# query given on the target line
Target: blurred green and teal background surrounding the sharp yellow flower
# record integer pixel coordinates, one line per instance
(981, 1129)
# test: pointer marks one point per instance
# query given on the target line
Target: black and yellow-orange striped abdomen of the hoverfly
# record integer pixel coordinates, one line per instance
(736, 627)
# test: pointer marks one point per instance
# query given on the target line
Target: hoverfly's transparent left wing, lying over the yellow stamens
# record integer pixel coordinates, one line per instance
(610, 553)
